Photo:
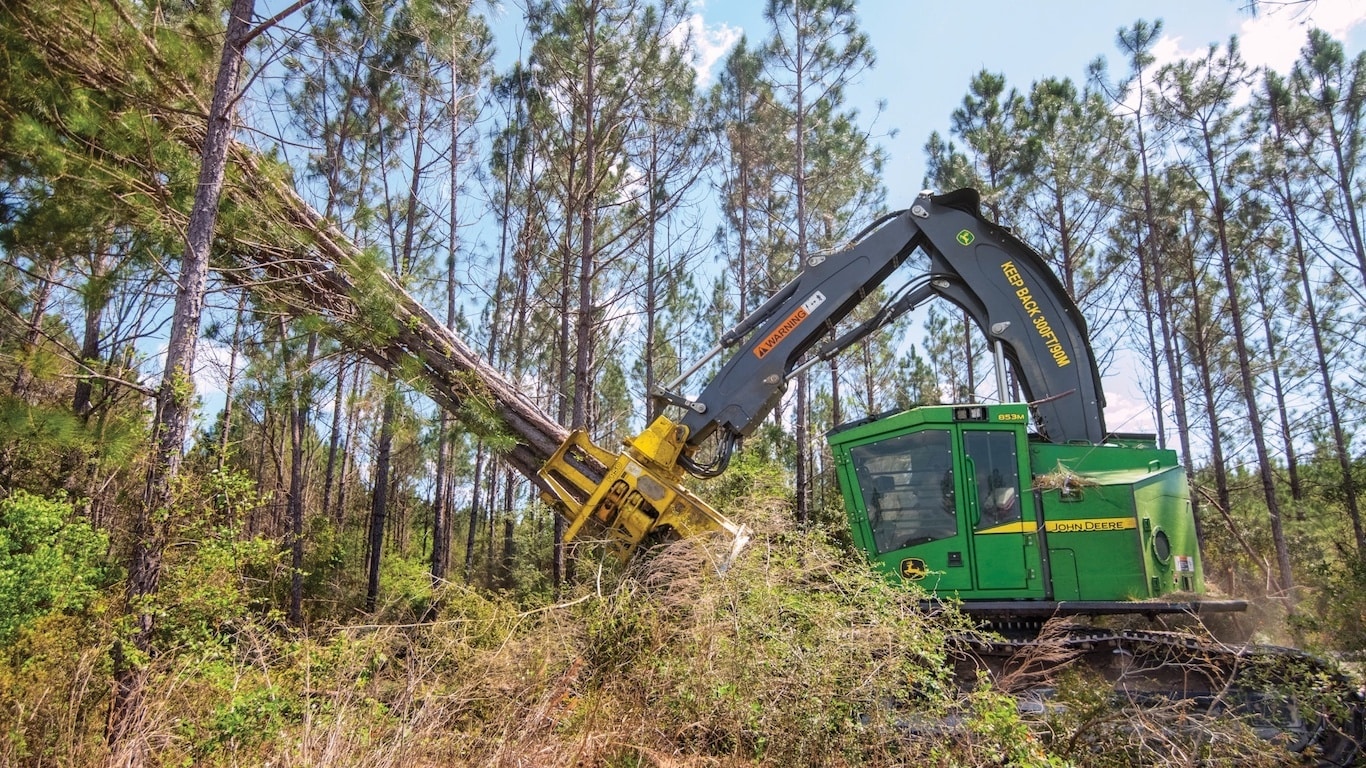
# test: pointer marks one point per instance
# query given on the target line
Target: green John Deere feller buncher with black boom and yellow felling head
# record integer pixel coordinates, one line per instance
(1016, 512)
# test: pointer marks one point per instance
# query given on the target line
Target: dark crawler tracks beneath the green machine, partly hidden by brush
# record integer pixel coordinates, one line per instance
(1180, 688)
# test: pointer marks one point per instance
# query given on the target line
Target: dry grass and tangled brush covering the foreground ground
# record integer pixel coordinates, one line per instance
(797, 655)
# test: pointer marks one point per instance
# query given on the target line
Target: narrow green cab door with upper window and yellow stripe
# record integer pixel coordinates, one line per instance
(999, 513)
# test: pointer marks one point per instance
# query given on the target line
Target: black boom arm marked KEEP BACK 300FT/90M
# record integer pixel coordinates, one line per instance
(1002, 284)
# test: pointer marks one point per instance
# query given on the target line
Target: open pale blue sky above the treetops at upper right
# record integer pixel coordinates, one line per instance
(928, 53)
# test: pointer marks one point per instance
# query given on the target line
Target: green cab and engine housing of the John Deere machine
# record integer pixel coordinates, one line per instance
(965, 502)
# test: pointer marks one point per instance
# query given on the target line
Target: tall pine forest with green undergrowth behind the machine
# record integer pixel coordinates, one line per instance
(589, 219)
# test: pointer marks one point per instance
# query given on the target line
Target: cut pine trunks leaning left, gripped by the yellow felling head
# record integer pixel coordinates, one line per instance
(297, 260)
